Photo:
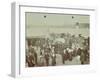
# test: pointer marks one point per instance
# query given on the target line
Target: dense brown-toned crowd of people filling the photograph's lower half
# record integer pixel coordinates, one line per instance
(45, 51)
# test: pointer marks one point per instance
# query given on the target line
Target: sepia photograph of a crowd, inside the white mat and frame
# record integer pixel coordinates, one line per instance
(54, 39)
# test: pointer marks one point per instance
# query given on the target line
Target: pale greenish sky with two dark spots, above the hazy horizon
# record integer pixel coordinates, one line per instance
(44, 19)
